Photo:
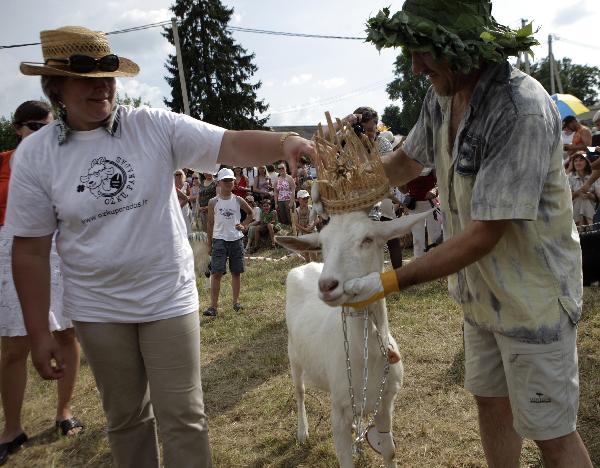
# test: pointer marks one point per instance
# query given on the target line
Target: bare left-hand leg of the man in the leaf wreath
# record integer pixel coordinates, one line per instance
(501, 443)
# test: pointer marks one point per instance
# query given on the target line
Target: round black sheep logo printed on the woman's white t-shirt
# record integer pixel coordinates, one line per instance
(111, 180)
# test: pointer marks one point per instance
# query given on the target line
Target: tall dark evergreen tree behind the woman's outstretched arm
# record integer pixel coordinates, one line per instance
(217, 70)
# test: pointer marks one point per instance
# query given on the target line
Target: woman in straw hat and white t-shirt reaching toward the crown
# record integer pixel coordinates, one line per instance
(103, 179)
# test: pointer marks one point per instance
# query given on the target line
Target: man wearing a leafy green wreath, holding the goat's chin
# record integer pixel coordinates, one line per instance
(511, 253)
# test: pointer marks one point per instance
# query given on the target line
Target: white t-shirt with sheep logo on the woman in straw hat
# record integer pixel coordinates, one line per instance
(121, 234)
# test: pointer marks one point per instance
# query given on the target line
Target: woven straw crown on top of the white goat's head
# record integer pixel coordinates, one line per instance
(350, 175)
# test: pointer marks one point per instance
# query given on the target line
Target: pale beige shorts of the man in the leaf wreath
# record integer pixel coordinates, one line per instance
(541, 380)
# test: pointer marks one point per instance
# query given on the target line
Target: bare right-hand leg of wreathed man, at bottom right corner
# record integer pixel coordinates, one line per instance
(565, 452)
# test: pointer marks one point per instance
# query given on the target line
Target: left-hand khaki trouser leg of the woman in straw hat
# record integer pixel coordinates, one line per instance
(113, 353)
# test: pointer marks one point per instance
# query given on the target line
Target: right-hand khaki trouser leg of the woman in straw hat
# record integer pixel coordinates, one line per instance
(171, 353)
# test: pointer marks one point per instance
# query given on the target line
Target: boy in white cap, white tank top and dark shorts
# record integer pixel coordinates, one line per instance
(225, 239)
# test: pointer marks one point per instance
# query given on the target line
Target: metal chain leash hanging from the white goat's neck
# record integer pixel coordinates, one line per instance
(358, 420)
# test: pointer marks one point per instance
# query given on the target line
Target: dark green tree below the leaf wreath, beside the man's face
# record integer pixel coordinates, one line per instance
(411, 89)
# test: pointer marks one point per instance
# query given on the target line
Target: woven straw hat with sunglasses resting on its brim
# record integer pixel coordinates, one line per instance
(64, 42)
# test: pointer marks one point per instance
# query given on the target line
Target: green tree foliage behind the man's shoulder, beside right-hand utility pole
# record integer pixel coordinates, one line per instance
(582, 81)
